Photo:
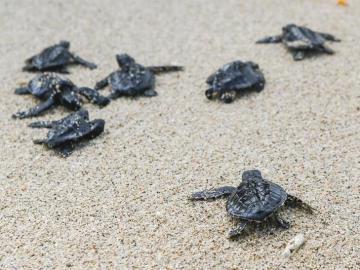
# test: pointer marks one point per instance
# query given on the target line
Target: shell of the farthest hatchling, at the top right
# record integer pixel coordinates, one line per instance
(302, 38)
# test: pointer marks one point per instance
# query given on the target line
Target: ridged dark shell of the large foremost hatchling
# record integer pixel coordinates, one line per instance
(255, 199)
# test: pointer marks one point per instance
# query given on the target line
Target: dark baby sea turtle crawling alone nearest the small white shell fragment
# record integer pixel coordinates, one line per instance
(254, 200)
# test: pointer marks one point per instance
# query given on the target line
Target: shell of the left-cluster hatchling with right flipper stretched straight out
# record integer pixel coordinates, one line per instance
(131, 80)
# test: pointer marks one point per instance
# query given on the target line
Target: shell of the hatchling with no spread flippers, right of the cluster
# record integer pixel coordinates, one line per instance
(237, 75)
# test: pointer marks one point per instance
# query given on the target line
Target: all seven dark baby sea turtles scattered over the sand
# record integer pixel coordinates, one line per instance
(254, 200)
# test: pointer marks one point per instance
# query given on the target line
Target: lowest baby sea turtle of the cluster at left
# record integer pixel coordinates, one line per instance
(65, 133)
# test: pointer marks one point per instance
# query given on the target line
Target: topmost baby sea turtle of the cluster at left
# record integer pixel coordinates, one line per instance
(55, 59)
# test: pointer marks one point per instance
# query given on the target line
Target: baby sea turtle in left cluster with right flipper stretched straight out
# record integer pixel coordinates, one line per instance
(133, 79)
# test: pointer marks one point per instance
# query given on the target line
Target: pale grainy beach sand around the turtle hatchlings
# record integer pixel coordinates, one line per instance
(120, 202)
